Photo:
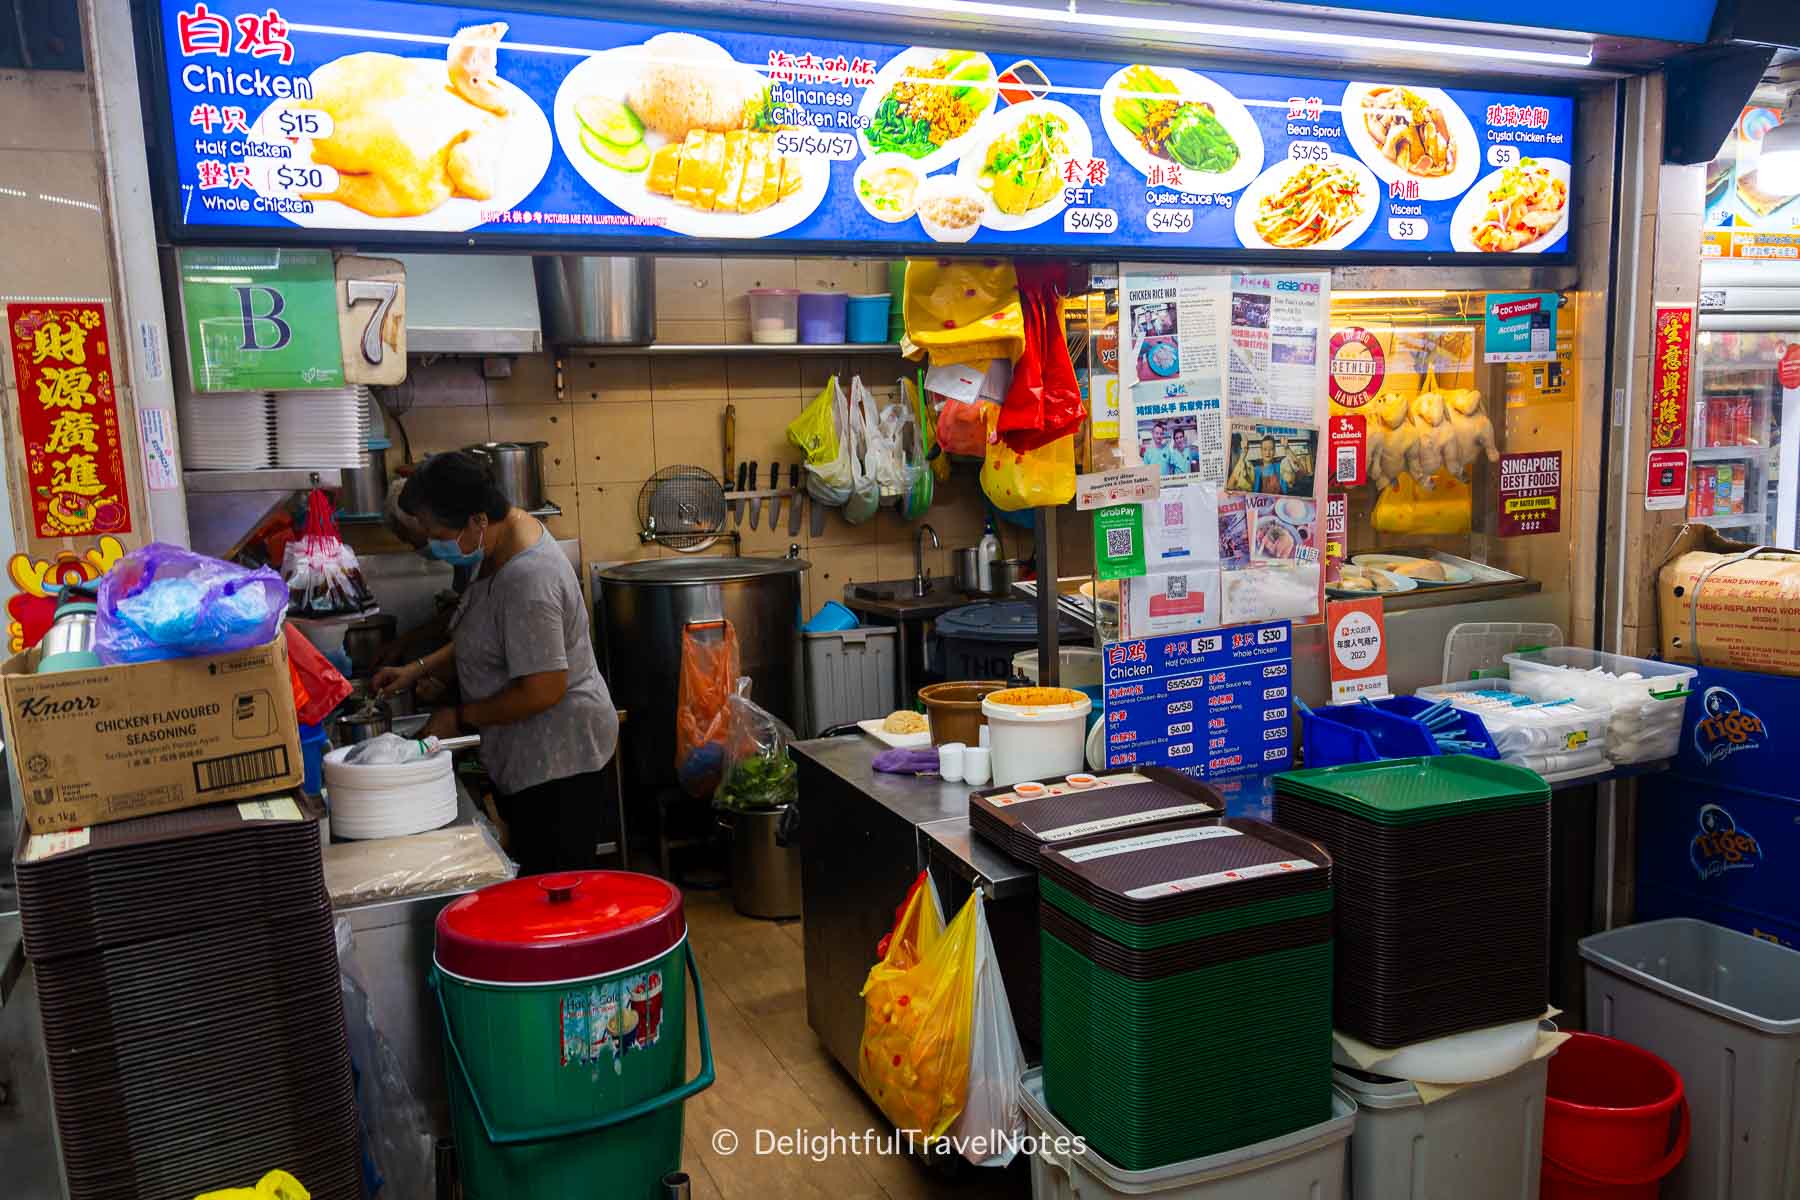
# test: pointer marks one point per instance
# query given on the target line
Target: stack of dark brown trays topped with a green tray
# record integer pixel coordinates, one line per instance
(1443, 891)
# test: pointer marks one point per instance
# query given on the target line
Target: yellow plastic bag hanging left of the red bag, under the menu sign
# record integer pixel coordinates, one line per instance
(962, 310)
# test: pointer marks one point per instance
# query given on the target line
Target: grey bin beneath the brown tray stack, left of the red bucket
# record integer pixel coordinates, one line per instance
(1484, 1143)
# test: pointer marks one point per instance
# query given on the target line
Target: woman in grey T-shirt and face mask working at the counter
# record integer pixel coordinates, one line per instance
(519, 649)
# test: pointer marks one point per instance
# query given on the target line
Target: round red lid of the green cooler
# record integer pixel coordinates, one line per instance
(552, 927)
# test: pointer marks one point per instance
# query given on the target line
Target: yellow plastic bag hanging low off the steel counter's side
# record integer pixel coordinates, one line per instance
(919, 1019)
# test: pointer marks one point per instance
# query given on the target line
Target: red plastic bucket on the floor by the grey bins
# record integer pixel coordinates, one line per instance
(1608, 1111)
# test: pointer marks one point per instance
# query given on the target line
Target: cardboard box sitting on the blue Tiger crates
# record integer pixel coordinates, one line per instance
(1749, 607)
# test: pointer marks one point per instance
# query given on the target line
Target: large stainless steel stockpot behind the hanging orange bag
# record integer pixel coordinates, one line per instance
(642, 613)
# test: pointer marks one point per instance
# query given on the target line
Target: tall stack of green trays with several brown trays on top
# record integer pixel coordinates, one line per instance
(1187, 989)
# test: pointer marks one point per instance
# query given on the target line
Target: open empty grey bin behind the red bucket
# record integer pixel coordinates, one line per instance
(1723, 1008)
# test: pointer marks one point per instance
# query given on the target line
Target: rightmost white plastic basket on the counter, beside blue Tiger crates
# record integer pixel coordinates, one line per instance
(1648, 699)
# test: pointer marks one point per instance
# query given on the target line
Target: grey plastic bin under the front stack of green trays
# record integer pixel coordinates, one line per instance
(1308, 1165)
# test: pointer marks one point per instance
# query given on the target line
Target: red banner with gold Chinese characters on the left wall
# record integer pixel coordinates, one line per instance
(69, 416)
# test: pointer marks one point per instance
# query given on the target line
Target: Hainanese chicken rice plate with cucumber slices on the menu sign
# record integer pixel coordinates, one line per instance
(681, 136)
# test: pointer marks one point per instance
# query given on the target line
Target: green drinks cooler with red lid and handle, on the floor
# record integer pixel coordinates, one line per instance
(564, 1001)
